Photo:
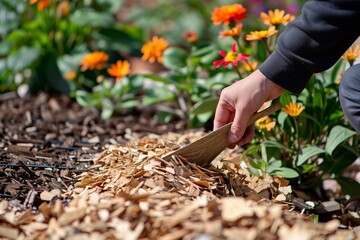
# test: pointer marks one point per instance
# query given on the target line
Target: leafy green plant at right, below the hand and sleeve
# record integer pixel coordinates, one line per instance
(318, 144)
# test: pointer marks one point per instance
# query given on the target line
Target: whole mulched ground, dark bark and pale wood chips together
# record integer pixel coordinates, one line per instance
(105, 179)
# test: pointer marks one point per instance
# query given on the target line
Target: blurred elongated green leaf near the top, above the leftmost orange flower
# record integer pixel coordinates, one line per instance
(88, 17)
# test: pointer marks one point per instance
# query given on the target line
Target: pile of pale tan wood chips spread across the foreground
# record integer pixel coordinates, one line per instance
(132, 193)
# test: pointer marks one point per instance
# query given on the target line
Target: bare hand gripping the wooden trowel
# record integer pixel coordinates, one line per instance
(239, 101)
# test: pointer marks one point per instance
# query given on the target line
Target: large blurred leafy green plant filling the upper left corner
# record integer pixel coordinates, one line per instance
(46, 40)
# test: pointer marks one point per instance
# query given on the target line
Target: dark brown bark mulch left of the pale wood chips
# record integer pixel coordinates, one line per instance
(46, 140)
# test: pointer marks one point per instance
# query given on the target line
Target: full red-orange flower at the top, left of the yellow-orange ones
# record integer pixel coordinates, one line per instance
(228, 14)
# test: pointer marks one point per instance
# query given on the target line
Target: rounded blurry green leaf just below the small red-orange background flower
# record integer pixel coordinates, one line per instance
(174, 58)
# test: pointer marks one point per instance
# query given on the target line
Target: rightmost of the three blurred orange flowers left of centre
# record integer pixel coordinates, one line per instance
(153, 50)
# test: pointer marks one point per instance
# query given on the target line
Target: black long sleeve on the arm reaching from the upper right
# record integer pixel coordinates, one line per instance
(313, 42)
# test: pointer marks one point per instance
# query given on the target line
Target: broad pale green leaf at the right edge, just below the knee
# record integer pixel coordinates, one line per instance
(338, 134)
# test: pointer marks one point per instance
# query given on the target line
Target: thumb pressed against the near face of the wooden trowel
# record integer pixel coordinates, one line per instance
(238, 126)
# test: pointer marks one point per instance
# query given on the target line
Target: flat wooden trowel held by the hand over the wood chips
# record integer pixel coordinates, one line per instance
(207, 148)
